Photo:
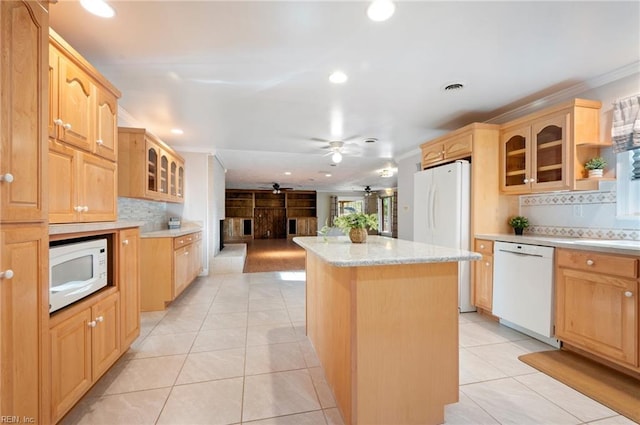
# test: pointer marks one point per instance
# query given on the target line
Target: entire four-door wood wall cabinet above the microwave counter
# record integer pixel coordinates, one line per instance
(82, 138)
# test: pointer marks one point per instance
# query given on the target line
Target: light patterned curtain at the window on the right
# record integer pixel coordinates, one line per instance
(625, 130)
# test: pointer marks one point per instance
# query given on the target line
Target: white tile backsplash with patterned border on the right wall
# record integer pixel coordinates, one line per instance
(579, 214)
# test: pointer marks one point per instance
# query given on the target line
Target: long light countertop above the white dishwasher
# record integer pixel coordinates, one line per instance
(612, 246)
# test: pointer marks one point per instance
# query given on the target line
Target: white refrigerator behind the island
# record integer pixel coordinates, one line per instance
(441, 216)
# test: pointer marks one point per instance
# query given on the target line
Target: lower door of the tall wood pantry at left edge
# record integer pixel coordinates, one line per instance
(23, 282)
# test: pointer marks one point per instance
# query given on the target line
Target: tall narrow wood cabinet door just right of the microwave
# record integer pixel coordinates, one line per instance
(129, 285)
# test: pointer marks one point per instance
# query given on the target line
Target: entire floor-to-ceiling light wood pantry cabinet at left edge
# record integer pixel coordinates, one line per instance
(24, 242)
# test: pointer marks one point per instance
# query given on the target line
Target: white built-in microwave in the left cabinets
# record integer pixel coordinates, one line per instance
(76, 270)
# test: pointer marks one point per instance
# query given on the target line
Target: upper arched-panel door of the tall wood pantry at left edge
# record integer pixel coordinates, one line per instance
(23, 67)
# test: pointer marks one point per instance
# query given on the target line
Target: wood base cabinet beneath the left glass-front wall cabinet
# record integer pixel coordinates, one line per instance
(168, 265)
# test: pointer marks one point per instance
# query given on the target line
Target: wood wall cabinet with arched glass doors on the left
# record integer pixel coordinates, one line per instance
(148, 168)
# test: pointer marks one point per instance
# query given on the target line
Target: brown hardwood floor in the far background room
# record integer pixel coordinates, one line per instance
(269, 255)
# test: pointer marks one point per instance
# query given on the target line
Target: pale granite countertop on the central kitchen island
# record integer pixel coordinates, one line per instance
(379, 250)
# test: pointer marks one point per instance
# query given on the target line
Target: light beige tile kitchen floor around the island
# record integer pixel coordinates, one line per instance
(232, 350)
